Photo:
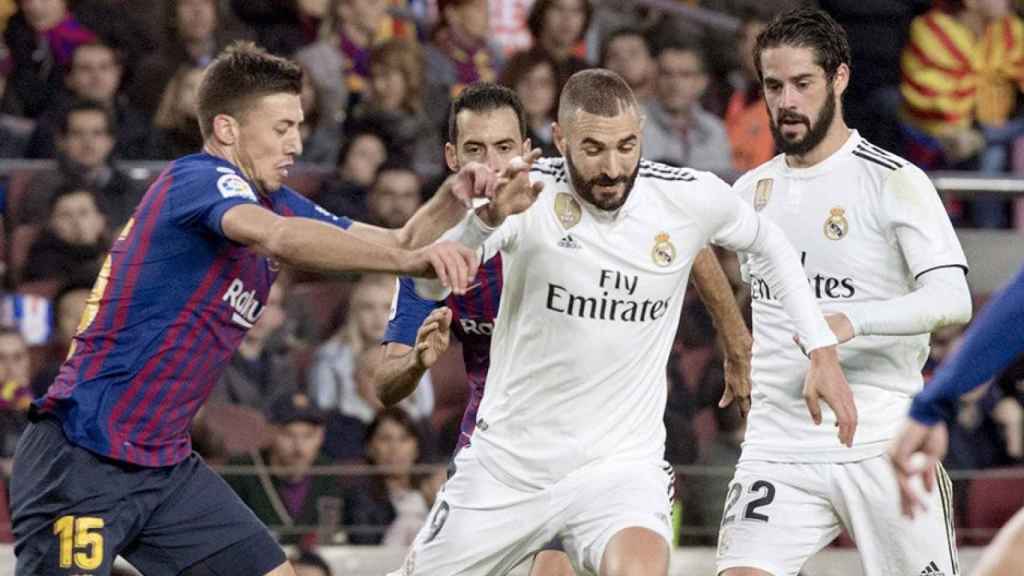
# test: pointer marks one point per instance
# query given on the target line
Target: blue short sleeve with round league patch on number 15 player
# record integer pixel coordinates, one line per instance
(205, 193)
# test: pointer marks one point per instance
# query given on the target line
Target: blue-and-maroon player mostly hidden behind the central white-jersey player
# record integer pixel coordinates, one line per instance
(487, 126)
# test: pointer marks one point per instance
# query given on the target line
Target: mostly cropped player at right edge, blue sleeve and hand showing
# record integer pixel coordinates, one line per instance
(996, 340)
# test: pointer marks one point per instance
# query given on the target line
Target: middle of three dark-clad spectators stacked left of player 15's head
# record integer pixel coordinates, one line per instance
(86, 143)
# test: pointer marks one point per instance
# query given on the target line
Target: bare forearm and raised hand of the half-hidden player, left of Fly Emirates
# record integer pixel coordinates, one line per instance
(403, 367)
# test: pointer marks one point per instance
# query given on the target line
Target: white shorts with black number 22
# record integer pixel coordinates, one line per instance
(779, 515)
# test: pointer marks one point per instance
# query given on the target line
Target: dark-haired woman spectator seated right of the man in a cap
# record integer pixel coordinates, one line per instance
(390, 508)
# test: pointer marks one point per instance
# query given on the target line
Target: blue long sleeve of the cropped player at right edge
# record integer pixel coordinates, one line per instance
(996, 339)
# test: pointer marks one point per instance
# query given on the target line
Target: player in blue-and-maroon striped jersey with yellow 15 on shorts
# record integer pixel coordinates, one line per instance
(107, 467)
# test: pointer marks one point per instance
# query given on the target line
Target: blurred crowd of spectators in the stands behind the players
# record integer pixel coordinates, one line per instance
(99, 88)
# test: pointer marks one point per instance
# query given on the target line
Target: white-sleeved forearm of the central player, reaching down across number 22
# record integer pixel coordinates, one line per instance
(787, 278)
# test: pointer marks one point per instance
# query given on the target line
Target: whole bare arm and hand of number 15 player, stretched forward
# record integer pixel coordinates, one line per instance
(310, 244)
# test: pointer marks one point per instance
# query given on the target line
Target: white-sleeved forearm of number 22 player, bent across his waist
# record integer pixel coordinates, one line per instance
(943, 299)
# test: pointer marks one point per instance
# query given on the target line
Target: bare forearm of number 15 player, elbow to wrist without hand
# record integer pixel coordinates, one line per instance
(310, 244)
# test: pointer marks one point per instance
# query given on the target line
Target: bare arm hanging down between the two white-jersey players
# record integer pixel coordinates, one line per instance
(716, 293)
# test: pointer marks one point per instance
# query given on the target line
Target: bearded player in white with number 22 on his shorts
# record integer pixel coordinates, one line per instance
(886, 267)
